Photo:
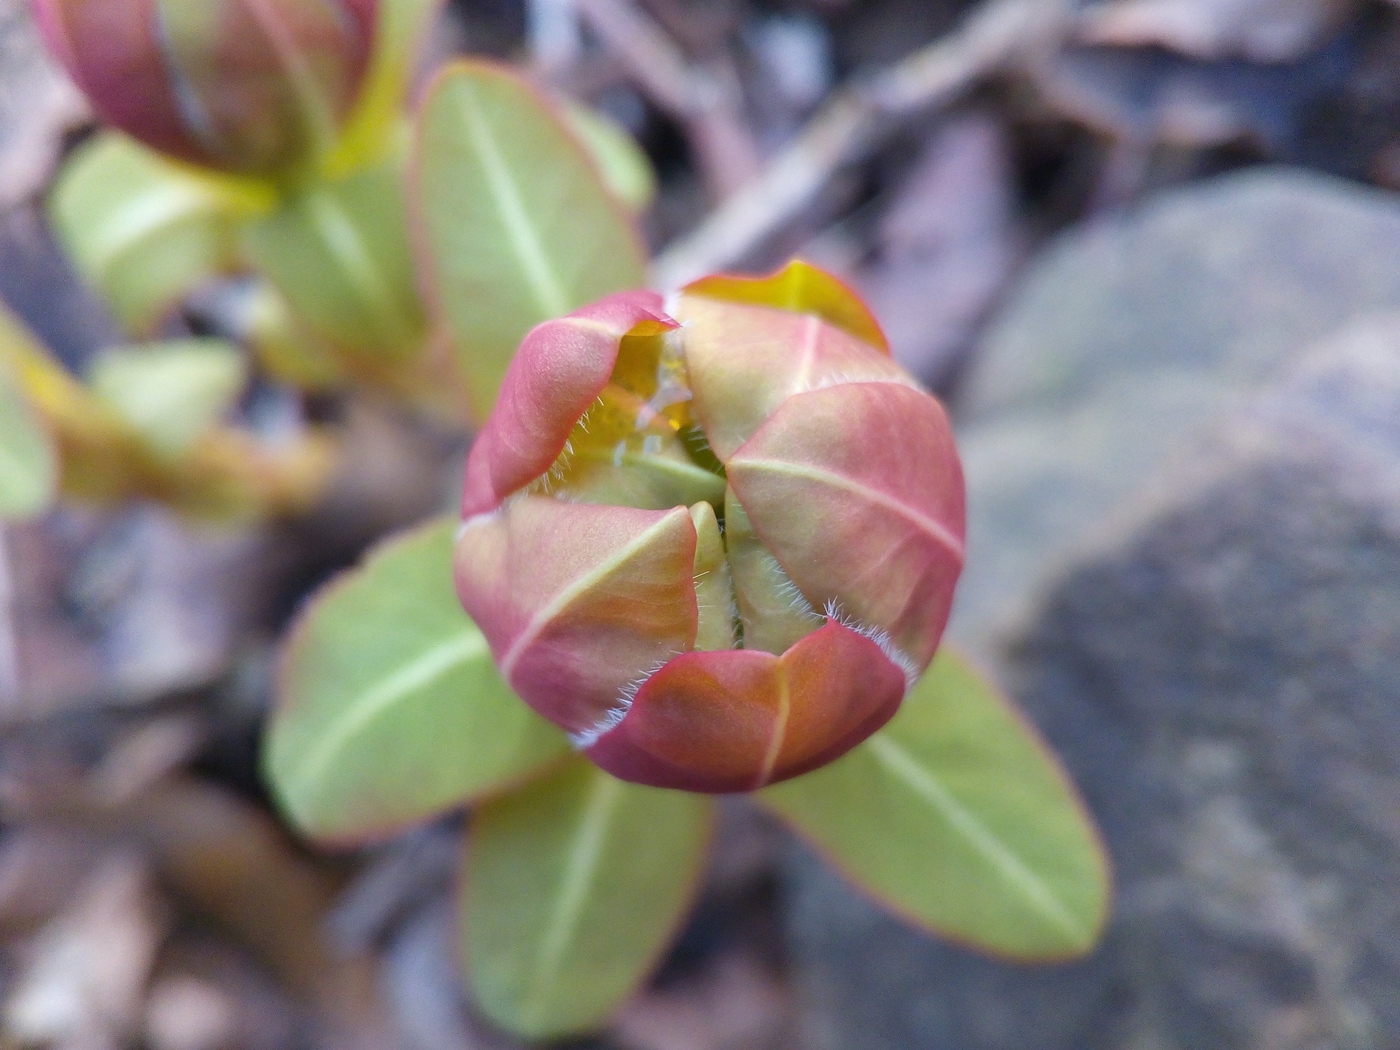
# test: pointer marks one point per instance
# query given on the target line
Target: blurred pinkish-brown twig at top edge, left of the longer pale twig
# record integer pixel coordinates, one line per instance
(703, 100)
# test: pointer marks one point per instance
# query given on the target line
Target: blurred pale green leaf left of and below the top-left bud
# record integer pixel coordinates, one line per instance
(146, 232)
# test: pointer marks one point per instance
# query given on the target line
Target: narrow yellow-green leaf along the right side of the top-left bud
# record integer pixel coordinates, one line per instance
(369, 134)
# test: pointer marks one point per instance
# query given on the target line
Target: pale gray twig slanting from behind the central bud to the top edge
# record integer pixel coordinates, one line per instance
(853, 122)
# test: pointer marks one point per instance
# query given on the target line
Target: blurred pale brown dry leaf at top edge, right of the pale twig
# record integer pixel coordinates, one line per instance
(1256, 30)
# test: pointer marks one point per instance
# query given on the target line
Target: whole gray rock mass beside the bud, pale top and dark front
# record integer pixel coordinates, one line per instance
(1206, 563)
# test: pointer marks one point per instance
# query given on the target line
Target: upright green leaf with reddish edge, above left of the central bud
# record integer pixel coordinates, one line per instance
(516, 222)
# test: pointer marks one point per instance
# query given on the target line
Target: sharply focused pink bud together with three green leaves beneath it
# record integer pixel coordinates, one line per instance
(713, 540)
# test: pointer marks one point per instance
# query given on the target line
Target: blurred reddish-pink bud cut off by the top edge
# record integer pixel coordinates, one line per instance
(243, 86)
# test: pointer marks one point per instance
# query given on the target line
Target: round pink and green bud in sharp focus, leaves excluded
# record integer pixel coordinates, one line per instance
(716, 538)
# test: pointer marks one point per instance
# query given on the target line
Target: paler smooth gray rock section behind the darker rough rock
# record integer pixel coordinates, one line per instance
(1130, 335)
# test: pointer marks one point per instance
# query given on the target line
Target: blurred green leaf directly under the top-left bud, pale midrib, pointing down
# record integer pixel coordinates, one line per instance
(339, 254)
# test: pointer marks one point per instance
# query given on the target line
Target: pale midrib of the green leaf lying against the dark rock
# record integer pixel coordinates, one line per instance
(982, 839)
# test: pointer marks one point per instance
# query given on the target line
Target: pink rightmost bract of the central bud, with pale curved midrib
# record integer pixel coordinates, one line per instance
(874, 523)
